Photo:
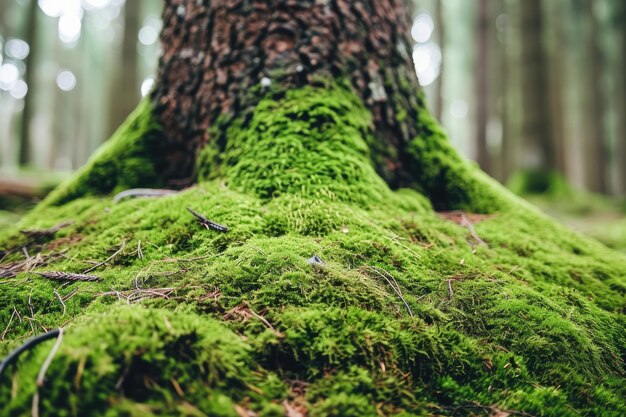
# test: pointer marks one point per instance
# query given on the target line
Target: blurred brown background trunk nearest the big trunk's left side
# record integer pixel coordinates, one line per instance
(125, 94)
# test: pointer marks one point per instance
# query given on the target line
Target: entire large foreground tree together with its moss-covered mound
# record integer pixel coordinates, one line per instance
(304, 270)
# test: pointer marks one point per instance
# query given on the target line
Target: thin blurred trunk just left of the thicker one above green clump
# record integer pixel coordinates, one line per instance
(482, 70)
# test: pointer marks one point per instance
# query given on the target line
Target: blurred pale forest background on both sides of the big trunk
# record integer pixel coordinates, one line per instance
(533, 90)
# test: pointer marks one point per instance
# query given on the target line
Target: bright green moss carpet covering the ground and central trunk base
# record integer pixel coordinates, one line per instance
(330, 294)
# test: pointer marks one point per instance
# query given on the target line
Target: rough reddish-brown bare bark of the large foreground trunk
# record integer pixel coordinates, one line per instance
(218, 57)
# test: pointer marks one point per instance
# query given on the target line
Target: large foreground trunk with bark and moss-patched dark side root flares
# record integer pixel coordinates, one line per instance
(221, 58)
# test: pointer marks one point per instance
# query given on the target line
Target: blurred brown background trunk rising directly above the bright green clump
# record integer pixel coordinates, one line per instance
(536, 117)
